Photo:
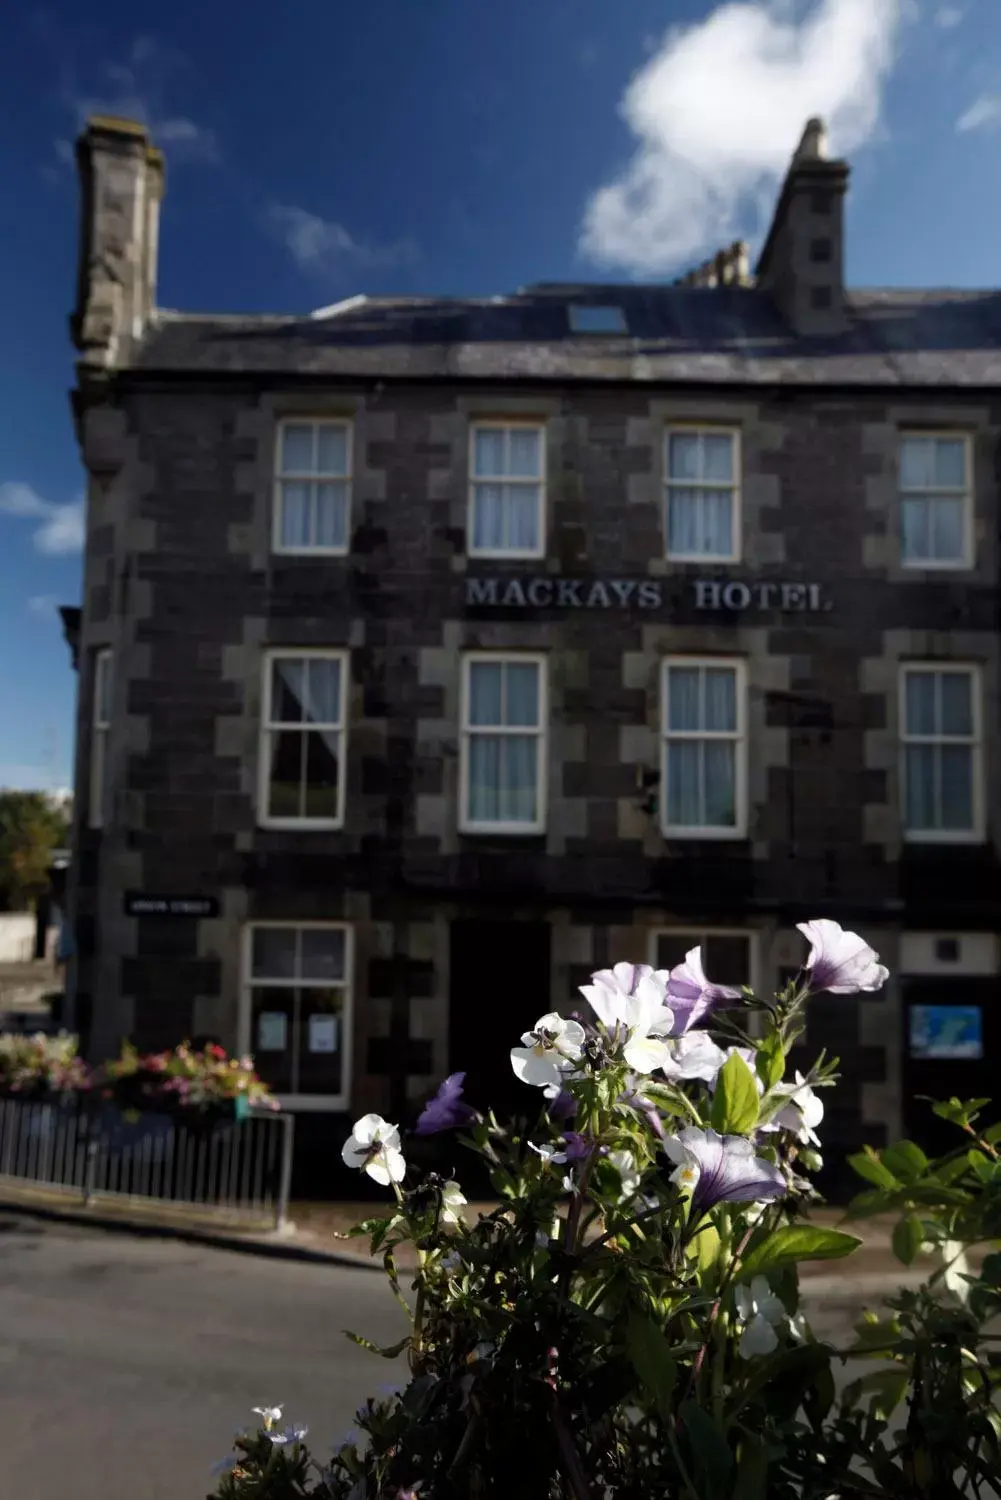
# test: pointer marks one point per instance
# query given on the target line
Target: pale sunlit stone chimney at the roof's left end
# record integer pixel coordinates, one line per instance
(122, 185)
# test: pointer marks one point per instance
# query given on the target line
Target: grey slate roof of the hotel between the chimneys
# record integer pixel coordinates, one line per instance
(724, 335)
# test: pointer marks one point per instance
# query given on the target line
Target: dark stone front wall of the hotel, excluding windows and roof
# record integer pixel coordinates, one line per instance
(181, 581)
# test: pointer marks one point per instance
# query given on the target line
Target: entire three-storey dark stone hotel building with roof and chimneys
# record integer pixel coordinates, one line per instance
(625, 619)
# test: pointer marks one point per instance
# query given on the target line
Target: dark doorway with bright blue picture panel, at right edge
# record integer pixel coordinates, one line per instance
(952, 1037)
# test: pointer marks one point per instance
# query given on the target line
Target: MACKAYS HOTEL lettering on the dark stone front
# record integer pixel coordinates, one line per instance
(490, 592)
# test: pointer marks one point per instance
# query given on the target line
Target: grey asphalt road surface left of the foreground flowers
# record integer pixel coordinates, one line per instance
(127, 1364)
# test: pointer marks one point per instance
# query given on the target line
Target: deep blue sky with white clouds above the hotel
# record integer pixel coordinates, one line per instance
(446, 146)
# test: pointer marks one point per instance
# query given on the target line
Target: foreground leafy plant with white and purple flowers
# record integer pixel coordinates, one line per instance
(628, 1324)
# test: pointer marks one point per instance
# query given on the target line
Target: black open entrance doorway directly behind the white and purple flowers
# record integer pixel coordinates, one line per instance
(499, 989)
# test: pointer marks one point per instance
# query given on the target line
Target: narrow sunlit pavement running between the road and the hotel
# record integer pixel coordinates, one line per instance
(311, 1235)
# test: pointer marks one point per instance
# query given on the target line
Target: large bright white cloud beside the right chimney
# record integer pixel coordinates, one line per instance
(717, 113)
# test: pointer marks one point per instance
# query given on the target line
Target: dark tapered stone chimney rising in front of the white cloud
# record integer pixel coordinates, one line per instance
(802, 265)
